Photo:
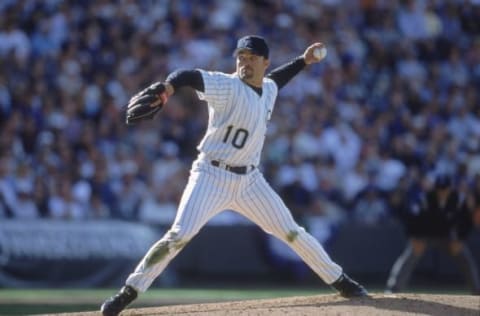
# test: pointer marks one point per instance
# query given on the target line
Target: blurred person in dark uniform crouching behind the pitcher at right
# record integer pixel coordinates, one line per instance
(441, 219)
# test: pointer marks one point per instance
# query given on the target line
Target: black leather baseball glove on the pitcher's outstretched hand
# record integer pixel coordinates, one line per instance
(145, 104)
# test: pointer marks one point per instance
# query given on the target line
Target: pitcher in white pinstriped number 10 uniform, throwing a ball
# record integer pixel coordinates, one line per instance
(225, 174)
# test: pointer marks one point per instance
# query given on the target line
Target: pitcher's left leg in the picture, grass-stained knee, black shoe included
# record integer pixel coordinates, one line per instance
(203, 198)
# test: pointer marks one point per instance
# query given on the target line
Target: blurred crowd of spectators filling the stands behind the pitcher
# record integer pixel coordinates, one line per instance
(395, 102)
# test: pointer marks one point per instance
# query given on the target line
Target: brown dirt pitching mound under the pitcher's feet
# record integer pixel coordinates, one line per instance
(377, 304)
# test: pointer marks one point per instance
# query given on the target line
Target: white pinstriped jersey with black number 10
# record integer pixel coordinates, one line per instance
(238, 118)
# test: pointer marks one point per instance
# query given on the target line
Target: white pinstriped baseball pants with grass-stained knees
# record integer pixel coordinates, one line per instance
(209, 191)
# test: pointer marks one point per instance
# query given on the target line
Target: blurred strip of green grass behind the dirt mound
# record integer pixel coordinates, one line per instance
(50, 301)
